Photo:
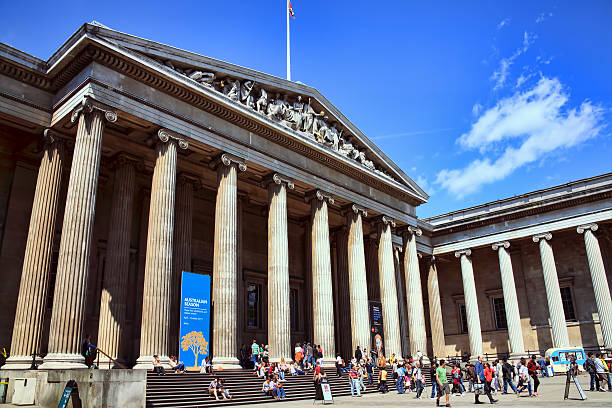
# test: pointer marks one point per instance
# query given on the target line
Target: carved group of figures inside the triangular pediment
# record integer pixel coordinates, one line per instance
(296, 114)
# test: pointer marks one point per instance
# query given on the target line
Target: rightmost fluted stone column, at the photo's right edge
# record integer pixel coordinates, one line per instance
(600, 282)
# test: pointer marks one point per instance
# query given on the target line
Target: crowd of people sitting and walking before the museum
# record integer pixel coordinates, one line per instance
(448, 378)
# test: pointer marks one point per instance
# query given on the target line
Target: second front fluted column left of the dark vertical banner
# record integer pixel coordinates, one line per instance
(322, 296)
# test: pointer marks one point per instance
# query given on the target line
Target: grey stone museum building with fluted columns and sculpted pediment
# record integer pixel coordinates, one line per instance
(125, 162)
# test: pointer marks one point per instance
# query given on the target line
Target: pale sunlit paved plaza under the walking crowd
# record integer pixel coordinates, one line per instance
(551, 395)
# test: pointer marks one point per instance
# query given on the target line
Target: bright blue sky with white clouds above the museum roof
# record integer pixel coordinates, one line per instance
(475, 100)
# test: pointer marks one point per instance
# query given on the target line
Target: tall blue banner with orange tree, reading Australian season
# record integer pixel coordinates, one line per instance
(195, 319)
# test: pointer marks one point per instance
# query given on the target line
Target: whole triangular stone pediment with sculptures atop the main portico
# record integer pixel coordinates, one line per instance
(296, 107)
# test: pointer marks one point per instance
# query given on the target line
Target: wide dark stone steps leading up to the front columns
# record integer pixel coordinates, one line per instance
(191, 389)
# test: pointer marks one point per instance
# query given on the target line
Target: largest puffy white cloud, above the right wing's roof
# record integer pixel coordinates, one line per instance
(524, 127)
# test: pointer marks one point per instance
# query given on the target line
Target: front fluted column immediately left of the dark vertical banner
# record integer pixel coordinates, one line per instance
(360, 321)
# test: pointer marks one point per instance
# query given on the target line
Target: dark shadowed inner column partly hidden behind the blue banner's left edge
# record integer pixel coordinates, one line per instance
(181, 257)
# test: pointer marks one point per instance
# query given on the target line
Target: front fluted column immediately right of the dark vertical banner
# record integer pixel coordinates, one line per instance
(388, 288)
